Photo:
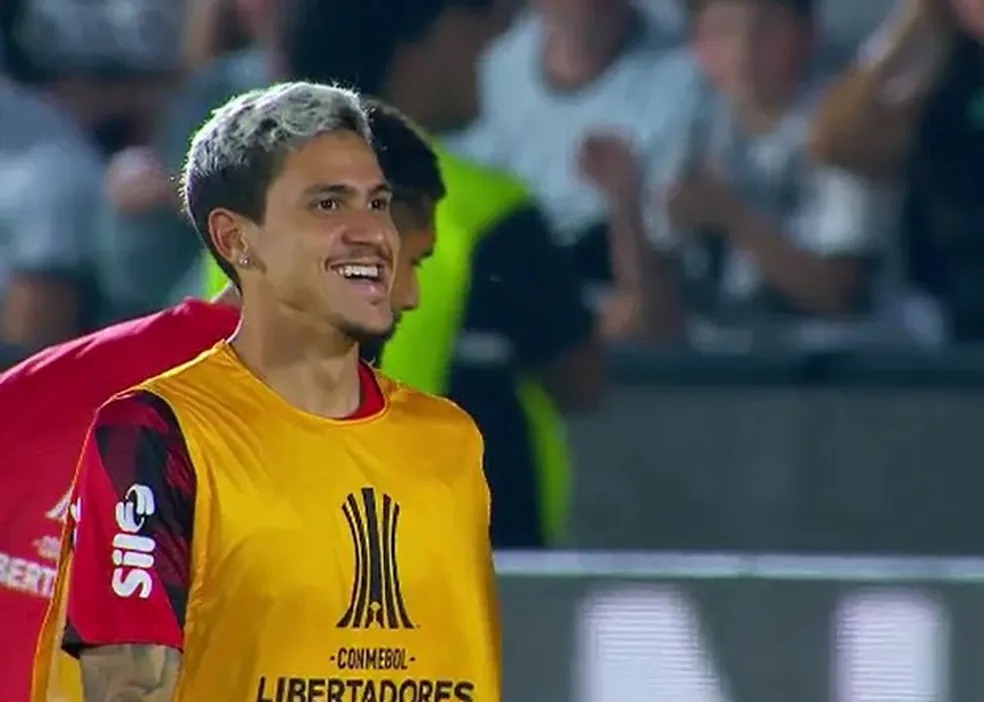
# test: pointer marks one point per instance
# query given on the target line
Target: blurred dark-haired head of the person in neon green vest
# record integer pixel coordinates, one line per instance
(424, 59)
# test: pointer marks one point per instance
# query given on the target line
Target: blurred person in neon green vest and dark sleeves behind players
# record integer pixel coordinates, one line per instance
(502, 328)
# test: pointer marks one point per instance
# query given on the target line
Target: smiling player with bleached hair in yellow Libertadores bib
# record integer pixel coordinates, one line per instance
(276, 475)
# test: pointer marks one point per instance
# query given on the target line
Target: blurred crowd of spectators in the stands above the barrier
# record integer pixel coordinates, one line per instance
(722, 175)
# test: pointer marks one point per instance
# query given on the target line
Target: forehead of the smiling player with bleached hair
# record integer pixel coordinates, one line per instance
(342, 158)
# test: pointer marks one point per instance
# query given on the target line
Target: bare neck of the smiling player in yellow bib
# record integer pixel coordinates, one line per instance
(313, 366)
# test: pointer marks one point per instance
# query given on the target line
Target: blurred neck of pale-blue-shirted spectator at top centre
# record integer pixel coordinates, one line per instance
(575, 55)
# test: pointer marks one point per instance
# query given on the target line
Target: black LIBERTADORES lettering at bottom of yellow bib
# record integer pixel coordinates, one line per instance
(293, 689)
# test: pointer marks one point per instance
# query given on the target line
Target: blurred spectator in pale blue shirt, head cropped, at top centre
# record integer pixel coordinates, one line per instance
(564, 70)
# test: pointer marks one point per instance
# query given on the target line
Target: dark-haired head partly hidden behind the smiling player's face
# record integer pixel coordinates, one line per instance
(412, 169)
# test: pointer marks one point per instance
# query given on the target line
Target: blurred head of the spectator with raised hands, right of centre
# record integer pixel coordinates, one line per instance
(753, 51)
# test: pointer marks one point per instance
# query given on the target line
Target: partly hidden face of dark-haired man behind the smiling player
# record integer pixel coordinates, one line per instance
(415, 222)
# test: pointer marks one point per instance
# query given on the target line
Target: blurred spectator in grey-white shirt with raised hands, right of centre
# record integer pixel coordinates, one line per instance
(744, 232)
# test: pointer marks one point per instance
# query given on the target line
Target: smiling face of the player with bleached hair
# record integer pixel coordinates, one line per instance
(327, 247)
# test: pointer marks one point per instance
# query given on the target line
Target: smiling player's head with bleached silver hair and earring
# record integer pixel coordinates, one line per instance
(285, 189)
